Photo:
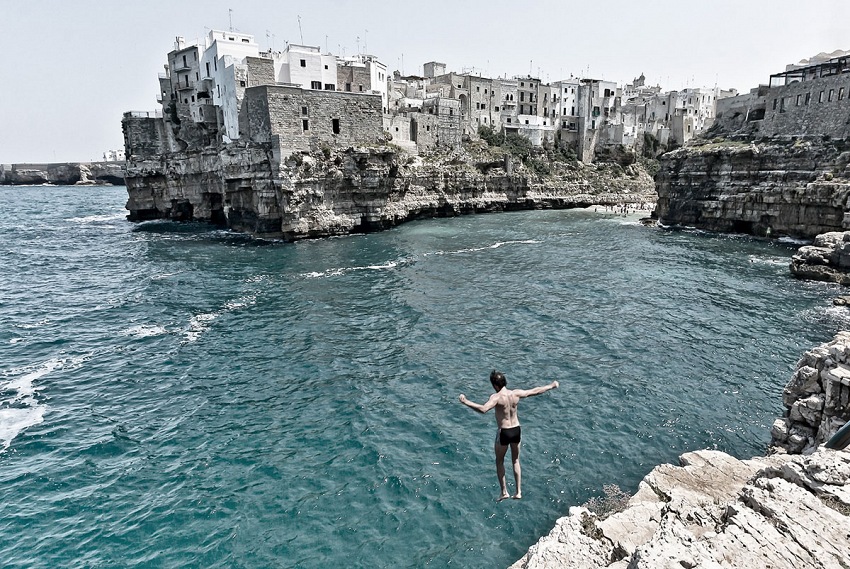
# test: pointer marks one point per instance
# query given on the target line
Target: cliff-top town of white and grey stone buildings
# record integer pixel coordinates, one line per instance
(230, 89)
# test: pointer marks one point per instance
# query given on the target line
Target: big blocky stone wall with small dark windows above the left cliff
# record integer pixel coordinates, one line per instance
(303, 119)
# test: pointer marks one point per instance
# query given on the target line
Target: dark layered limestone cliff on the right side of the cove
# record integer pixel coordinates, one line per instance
(793, 186)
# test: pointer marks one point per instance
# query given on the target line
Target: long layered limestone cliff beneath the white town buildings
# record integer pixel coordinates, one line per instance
(335, 192)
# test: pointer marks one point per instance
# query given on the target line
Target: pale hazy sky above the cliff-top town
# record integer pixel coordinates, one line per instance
(71, 68)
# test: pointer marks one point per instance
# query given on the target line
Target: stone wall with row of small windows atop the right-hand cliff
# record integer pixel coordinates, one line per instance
(818, 107)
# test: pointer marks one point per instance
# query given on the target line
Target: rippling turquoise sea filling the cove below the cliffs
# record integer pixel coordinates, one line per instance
(182, 396)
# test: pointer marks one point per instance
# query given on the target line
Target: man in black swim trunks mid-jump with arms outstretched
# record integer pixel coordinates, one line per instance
(505, 402)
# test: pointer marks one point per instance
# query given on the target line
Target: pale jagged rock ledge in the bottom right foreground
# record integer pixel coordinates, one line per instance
(782, 511)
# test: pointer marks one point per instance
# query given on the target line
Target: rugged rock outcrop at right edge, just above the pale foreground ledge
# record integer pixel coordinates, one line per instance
(817, 398)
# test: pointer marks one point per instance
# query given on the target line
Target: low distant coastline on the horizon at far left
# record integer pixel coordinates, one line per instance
(104, 173)
